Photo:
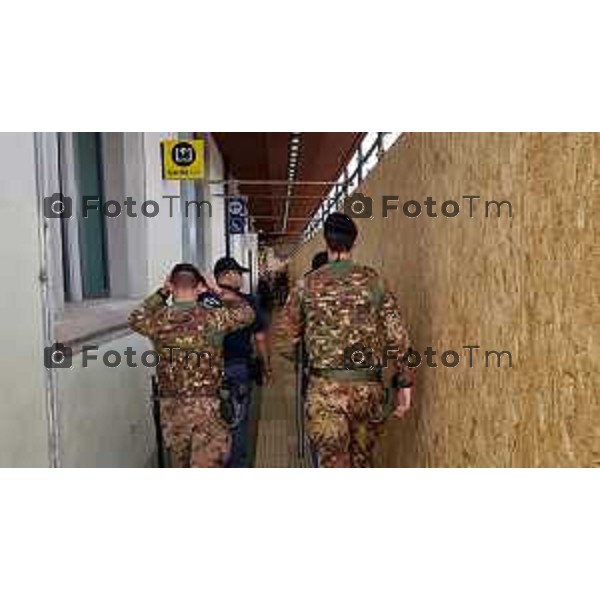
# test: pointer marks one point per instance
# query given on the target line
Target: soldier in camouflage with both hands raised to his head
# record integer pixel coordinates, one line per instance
(189, 339)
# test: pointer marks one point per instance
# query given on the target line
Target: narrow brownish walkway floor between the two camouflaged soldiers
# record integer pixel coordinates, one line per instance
(277, 438)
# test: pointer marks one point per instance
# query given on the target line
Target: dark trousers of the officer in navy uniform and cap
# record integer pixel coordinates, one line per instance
(237, 375)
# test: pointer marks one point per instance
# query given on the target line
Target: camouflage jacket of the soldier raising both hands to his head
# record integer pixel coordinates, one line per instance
(188, 339)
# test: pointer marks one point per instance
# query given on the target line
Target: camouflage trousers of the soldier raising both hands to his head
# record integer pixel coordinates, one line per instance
(194, 433)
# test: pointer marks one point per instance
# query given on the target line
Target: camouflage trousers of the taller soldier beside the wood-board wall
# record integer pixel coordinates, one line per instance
(342, 421)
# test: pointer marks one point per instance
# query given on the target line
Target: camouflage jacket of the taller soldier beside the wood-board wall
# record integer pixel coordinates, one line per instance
(344, 307)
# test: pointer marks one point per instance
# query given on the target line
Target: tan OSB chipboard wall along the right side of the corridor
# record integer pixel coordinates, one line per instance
(529, 285)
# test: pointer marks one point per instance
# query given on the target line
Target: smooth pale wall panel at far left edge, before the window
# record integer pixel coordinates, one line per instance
(23, 418)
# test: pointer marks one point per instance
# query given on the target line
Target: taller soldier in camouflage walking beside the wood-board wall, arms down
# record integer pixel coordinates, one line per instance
(348, 316)
